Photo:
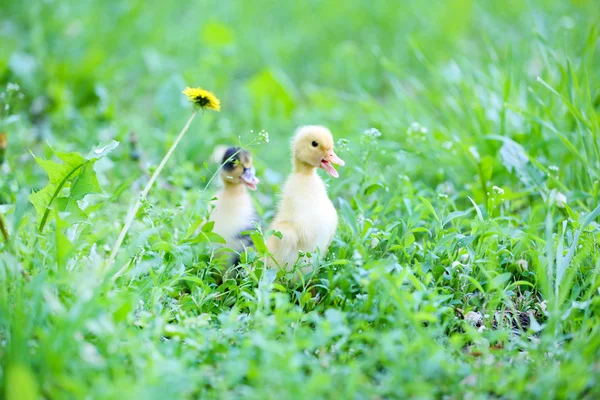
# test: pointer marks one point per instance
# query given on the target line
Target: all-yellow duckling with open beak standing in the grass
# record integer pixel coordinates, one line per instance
(306, 217)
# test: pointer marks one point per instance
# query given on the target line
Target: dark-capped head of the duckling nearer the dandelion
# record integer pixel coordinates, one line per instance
(236, 167)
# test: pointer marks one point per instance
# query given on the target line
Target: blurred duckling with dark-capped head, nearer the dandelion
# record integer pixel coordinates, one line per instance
(234, 212)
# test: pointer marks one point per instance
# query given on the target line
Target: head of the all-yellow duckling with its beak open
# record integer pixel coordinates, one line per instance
(313, 147)
